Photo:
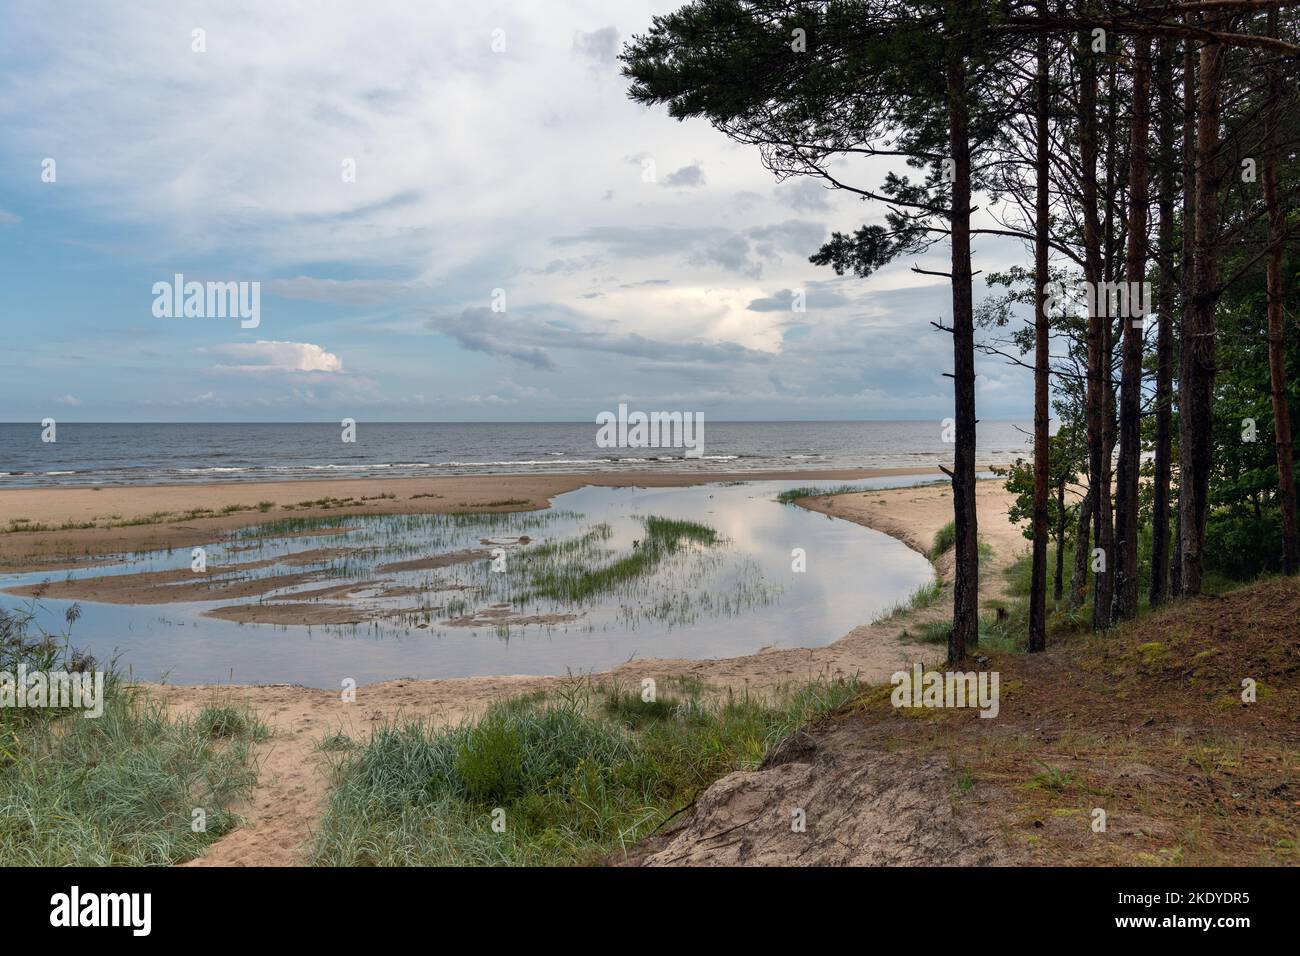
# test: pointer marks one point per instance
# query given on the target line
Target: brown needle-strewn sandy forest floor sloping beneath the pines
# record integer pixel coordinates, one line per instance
(1146, 725)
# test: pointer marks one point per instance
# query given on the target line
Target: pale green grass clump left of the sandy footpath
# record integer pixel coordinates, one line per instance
(120, 789)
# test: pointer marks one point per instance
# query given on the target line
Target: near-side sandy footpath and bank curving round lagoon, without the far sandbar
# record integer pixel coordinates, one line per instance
(293, 784)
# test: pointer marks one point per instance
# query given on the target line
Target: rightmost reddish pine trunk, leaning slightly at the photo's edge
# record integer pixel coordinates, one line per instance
(1277, 339)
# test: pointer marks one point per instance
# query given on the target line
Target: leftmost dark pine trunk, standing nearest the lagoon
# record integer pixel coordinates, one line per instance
(965, 634)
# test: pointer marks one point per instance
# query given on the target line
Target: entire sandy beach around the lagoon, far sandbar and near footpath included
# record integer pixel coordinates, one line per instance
(293, 782)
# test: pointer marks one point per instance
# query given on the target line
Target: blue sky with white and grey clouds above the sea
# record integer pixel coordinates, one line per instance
(454, 214)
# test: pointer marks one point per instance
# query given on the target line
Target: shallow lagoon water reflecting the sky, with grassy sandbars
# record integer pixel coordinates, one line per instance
(725, 600)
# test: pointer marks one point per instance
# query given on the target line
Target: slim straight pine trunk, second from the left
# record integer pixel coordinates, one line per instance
(1039, 576)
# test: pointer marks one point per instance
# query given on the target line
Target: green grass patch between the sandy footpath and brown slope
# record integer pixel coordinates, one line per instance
(578, 776)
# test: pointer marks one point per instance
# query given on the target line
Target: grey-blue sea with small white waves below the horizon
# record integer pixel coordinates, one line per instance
(109, 455)
